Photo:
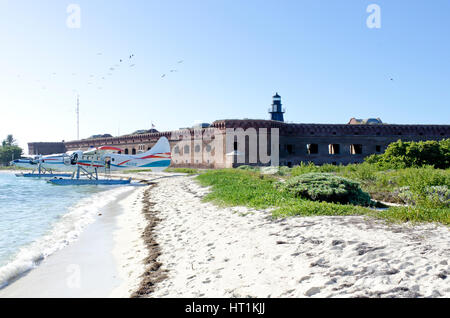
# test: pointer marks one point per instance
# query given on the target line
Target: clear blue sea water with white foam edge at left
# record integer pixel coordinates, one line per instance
(38, 218)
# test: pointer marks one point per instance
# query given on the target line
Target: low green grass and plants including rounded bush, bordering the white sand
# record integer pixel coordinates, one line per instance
(424, 189)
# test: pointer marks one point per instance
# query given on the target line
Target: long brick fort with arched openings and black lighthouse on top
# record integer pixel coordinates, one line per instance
(318, 143)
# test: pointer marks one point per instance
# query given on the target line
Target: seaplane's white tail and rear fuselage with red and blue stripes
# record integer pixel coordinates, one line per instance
(156, 159)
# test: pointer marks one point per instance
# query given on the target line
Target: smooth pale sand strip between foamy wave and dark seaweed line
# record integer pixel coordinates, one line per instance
(96, 264)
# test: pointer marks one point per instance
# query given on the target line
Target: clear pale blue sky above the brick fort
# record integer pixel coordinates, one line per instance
(230, 57)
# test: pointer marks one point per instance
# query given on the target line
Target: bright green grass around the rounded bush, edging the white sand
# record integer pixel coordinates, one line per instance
(241, 187)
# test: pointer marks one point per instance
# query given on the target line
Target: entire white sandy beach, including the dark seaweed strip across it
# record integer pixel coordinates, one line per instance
(161, 240)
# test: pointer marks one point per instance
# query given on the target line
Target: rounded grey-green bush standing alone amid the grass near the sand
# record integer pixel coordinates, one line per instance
(326, 187)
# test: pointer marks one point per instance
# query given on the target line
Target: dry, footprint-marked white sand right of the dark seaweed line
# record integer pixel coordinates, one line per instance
(237, 252)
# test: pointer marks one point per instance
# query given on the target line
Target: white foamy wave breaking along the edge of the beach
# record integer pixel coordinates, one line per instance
(64, 231)
